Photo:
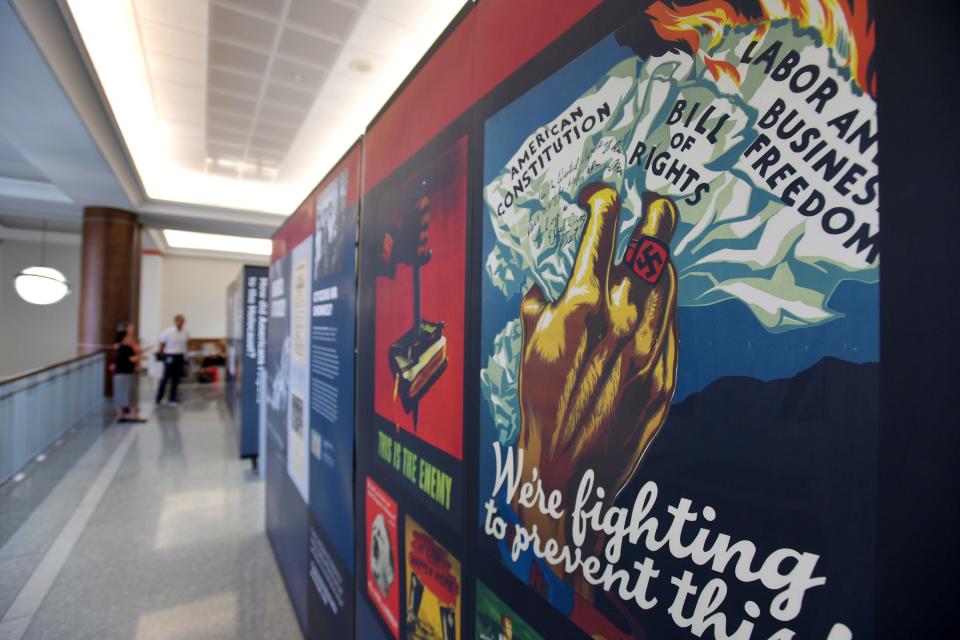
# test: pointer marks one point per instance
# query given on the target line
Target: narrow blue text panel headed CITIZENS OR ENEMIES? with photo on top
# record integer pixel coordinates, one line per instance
(333, 323)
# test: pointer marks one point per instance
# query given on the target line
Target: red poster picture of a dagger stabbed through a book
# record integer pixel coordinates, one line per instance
(419, 344)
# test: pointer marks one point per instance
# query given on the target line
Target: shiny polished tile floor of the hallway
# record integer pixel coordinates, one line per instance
(142, 532)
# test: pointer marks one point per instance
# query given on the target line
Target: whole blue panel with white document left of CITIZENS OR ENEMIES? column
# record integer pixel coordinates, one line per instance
(310, 408)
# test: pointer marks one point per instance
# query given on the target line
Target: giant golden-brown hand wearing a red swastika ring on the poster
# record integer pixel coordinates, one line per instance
(599, 365)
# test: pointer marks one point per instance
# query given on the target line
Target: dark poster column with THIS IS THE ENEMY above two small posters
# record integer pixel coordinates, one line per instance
(411, 390)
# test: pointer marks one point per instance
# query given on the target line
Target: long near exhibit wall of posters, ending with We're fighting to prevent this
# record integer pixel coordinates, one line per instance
(601, 358)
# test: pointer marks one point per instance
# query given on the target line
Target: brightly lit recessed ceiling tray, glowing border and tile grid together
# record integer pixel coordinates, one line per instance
(246, 104)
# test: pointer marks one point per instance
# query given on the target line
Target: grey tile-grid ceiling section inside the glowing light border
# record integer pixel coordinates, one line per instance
(233, 80)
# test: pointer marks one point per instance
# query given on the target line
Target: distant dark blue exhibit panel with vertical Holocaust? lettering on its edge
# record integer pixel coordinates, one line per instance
(247, 315)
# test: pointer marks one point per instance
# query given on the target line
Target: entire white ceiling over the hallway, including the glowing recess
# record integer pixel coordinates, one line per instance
(278, 89)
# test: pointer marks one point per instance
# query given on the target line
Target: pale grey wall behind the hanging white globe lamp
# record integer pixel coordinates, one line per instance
(35, 336)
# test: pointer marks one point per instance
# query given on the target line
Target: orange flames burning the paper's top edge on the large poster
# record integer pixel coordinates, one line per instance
(844, 25)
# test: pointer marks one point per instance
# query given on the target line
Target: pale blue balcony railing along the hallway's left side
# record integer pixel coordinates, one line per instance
(39, 406)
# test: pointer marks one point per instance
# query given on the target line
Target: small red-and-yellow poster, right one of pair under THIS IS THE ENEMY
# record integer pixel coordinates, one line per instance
(433, 587)
